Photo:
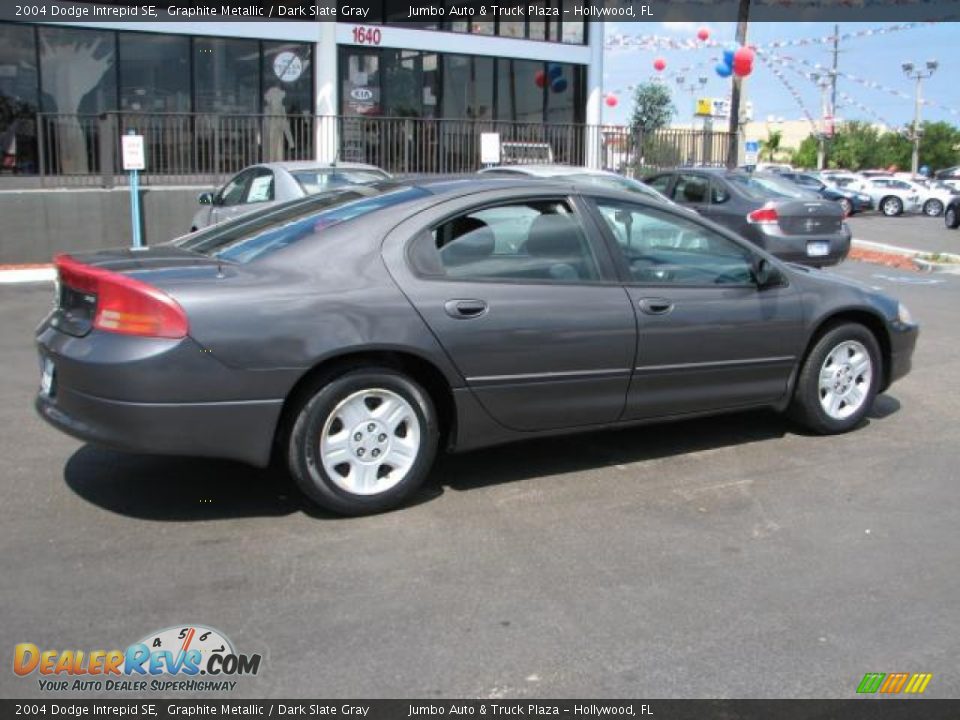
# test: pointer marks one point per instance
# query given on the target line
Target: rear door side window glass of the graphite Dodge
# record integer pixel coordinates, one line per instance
(535, 241)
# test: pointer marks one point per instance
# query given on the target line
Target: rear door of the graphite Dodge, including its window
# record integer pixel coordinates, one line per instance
(524, 299)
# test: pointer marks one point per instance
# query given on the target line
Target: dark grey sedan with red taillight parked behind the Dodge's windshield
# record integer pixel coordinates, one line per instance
(772, 213)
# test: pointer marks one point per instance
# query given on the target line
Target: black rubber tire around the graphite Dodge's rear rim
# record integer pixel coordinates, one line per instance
(303, 454)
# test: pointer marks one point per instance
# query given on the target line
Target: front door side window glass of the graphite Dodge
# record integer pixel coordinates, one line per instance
(662, 249)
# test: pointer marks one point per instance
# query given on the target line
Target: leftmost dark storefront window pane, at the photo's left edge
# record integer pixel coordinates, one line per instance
(18, 99)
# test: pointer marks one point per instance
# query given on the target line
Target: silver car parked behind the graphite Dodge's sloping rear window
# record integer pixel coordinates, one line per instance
(261, 186)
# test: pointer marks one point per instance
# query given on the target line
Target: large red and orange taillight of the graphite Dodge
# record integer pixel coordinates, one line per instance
(124, 305)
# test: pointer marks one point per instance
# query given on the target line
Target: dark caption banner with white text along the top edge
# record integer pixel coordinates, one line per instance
(428, 13)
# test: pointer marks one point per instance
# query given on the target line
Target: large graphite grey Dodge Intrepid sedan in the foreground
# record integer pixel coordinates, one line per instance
(352, 334)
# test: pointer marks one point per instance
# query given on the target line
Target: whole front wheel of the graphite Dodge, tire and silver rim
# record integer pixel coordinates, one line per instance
(839, 380)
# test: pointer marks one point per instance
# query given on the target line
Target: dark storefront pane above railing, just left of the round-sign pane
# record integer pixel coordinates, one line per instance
(226, 75)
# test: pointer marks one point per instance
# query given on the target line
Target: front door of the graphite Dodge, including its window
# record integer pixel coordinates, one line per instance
(708, 338)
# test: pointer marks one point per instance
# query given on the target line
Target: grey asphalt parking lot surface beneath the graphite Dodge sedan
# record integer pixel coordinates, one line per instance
(732, 557)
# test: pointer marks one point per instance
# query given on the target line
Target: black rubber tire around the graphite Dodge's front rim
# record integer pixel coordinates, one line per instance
(806, 408)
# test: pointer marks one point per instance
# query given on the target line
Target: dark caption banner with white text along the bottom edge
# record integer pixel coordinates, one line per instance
(863, 709)
